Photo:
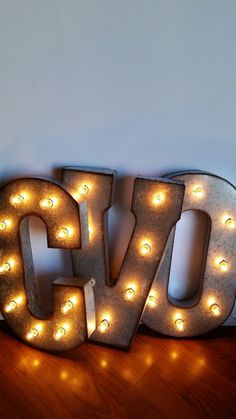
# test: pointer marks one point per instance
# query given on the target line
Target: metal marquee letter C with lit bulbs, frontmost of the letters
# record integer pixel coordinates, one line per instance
(19, 199)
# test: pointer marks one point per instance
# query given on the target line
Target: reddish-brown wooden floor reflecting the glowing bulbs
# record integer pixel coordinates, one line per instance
(158, 378)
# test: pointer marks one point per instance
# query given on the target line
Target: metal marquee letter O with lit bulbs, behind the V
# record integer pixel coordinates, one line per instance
(218, 201)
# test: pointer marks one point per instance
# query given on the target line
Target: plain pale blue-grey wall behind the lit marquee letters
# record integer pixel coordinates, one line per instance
(143, 87)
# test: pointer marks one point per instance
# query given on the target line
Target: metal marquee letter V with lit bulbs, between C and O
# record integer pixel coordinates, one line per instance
(118, 310)
